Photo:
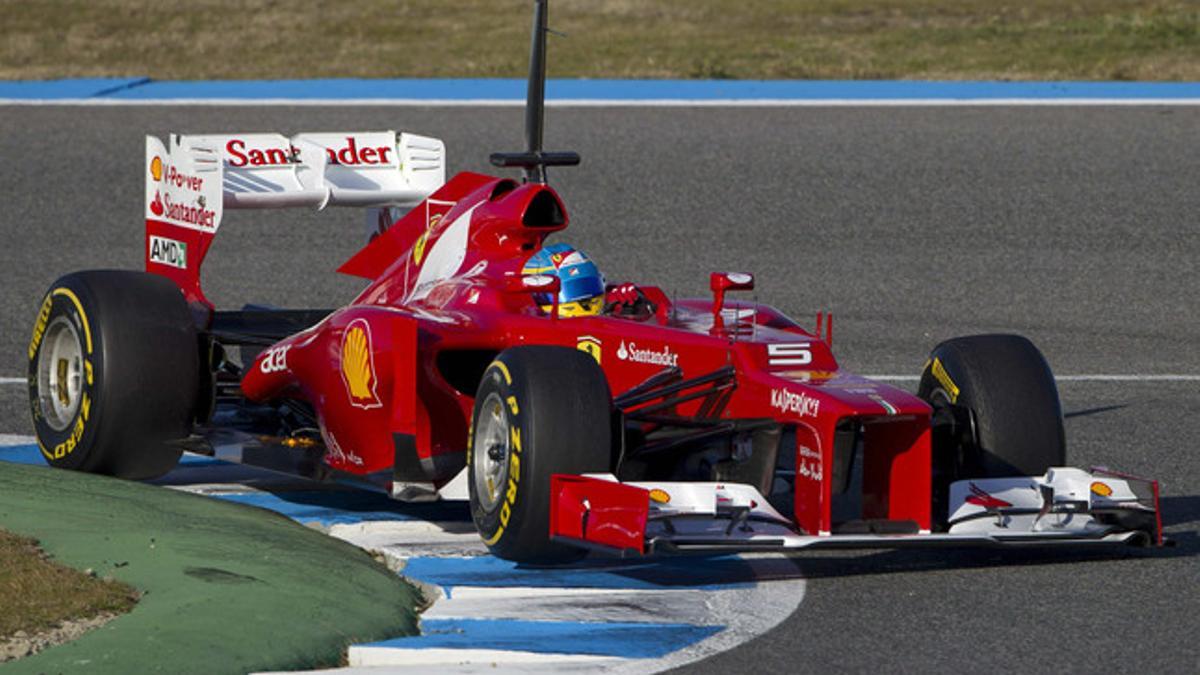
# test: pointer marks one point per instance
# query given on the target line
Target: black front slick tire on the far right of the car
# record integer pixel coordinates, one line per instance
(1009, 410)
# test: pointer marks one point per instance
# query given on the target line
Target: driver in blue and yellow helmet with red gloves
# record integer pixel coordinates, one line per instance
(583, 291)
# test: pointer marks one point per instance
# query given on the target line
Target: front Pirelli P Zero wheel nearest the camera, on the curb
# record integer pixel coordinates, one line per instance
(539, 411)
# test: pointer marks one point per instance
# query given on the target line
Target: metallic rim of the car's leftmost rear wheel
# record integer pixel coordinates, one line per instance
(61, 374)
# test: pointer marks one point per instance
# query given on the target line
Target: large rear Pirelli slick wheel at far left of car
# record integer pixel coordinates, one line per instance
(113, 374)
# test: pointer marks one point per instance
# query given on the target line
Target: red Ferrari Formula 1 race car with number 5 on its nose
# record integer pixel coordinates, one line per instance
(703, 425)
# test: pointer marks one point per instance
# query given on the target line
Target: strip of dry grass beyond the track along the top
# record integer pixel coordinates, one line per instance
(1151, 40)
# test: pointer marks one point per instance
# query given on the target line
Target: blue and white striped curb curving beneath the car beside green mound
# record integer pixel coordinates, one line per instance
(489, 614)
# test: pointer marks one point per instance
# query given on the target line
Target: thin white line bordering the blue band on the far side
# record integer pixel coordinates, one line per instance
(611, 104)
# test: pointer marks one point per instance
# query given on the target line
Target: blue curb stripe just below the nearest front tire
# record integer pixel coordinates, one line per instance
(715, 574)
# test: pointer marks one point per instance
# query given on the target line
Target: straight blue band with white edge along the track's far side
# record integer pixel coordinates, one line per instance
(656, 93)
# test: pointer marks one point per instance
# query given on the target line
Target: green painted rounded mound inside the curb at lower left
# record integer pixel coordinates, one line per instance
(225, 588)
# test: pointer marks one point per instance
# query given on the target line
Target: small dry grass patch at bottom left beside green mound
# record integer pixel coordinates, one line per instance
(38, 594)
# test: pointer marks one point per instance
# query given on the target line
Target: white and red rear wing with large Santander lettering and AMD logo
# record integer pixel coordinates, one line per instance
(191, 181)
